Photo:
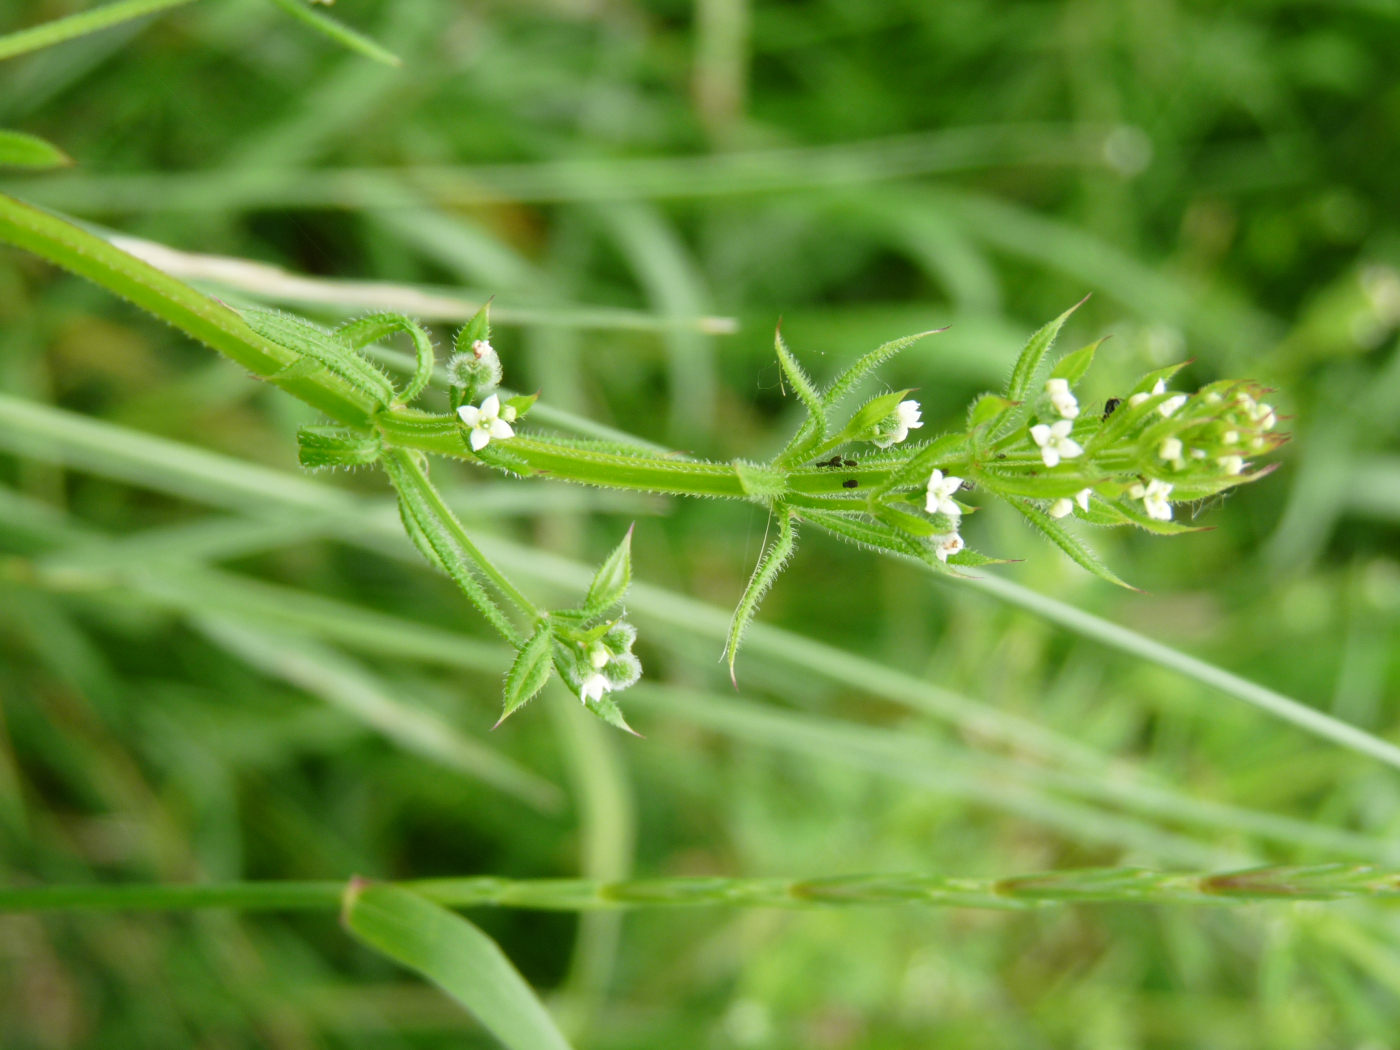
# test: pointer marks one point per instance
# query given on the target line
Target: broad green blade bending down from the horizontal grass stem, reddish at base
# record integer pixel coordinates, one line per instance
(454, 955)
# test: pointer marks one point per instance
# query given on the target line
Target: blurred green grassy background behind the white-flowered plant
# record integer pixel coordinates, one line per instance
(1219, 176)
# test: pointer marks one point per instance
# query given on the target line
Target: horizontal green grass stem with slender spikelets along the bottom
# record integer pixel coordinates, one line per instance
(1074, 887)
